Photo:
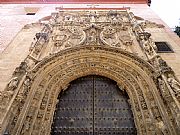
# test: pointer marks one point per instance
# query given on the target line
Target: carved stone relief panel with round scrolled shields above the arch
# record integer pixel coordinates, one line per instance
(69, 29)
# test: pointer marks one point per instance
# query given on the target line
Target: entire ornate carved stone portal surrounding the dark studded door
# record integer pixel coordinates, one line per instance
(80, 43)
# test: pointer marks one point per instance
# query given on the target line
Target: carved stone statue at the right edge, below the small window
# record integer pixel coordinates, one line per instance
(174, 84)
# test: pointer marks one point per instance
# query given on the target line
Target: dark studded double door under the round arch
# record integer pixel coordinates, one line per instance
(93, 105)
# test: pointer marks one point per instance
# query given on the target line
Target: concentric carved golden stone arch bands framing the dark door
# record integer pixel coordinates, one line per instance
(54, 73)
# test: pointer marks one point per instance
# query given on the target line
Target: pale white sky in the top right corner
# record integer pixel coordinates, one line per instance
(168, 11)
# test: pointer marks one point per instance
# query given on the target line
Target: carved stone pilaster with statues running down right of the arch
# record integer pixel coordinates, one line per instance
(162, 71)
